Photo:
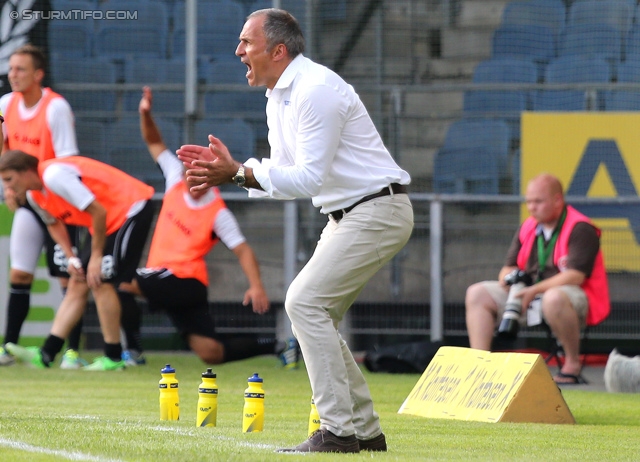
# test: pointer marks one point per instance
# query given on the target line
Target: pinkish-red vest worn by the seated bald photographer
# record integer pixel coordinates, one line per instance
(595, 286)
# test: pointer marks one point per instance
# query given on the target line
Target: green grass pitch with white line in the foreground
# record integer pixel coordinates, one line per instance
(56, 415)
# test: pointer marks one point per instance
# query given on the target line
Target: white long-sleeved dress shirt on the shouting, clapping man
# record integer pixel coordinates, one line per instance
(323, 143)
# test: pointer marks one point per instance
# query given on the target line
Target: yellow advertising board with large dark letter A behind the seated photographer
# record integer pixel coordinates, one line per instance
(594, 155)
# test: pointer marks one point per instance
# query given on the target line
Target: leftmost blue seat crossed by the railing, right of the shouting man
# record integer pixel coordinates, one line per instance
(503, 104)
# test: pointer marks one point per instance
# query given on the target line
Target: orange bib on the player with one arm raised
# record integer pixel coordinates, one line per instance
(183, 235)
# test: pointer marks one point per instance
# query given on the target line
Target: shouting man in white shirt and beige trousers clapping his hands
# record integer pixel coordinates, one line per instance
(324, 146)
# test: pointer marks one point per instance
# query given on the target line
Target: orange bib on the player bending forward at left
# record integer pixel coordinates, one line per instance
(113, 189)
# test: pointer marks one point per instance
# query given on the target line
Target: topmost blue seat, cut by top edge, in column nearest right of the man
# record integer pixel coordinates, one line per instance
(548, 13)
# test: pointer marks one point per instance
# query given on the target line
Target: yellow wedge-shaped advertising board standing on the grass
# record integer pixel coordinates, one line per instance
(468, 384)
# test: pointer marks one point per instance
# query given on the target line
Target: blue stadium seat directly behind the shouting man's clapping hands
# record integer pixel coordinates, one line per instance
(236, 134)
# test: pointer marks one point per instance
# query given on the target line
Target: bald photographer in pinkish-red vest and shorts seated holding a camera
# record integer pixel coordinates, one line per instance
(558, 249)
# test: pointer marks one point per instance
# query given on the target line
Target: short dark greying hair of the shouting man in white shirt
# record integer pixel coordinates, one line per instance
(281, 27)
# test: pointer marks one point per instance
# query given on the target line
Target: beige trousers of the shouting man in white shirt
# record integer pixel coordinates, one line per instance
(347, 255)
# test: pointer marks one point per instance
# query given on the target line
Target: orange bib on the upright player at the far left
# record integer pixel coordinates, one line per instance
(32, 136)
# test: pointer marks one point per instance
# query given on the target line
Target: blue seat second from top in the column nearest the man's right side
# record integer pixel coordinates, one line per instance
(525, 40)
